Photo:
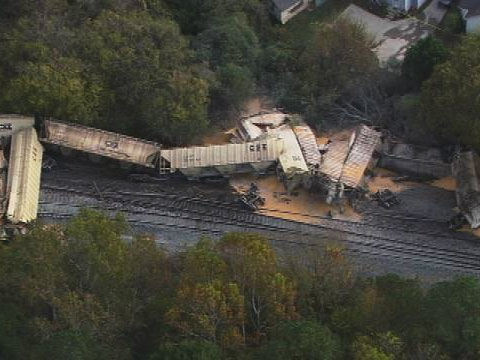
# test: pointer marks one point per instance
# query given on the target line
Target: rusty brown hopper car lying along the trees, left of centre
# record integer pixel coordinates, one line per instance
(101, 142)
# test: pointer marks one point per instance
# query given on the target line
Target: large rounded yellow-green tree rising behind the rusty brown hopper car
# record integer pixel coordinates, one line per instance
(152, 87)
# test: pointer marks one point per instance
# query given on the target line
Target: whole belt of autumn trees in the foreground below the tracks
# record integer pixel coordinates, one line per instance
(93, 290)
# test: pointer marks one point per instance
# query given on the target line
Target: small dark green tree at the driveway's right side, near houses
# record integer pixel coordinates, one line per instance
(421, 59)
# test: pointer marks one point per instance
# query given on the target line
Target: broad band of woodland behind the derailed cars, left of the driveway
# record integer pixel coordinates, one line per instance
(166, 69)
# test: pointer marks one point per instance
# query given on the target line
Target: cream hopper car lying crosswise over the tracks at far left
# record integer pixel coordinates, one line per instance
(24, 172)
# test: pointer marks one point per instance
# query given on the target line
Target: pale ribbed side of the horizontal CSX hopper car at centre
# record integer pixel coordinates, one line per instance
(216, 155)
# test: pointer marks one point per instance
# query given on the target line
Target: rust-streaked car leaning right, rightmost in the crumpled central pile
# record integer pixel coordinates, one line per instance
(360, 155)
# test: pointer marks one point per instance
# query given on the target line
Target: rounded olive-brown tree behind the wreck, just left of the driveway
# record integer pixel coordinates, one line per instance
(336, 58)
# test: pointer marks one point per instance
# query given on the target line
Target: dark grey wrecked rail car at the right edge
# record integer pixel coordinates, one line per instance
(466, 170)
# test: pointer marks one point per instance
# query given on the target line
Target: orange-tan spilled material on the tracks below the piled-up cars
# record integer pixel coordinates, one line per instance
(304, 206)
